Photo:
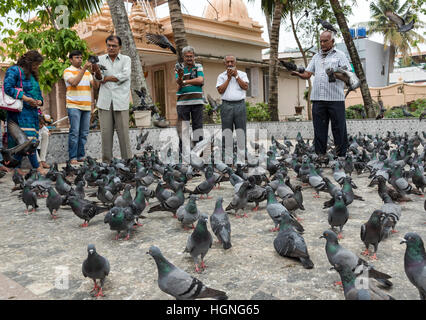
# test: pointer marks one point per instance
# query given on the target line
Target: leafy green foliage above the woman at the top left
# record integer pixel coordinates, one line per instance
(49, 33)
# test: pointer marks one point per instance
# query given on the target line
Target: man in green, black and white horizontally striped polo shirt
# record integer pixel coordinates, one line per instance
(190, 102)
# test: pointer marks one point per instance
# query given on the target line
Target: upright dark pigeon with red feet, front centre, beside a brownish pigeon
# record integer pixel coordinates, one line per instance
(199, 242)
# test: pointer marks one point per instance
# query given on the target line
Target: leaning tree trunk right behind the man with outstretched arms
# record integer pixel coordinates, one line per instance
(366, 96)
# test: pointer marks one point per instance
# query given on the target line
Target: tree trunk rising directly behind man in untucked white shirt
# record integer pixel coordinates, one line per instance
(123, 30)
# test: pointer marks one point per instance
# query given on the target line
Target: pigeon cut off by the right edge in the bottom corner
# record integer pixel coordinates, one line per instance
(415, 262)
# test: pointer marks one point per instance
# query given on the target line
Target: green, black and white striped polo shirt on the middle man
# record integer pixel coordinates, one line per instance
(190, 94)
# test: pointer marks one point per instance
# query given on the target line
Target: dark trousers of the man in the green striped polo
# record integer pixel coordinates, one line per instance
(193, 113)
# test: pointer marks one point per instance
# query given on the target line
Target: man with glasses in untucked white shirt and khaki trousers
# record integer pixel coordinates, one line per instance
(114, 98)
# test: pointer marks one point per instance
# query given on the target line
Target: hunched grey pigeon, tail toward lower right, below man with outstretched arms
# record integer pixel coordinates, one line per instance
(290, 243)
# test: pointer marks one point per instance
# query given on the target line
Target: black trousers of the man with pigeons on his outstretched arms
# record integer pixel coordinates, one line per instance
(322, 113)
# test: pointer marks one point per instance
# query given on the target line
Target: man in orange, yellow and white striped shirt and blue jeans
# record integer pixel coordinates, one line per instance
(80, 104)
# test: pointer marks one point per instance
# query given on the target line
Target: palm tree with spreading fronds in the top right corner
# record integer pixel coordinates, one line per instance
(396, 41)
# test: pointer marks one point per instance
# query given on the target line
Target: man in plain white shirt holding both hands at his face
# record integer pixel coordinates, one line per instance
(232, 84)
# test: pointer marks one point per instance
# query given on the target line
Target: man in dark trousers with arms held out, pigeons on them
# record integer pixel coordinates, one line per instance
(328, 96)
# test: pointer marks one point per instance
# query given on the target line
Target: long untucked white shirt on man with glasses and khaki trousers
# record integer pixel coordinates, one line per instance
(117, 92)
